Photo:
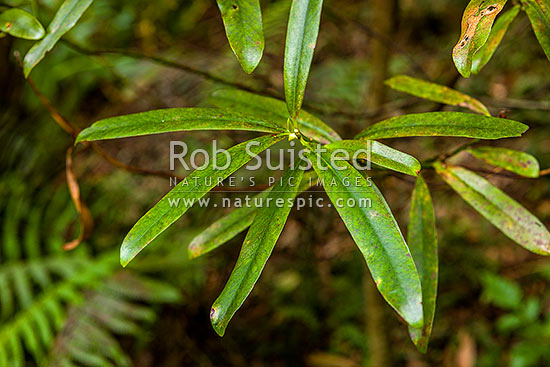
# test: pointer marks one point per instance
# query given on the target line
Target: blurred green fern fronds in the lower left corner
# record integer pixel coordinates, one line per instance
(65, 308)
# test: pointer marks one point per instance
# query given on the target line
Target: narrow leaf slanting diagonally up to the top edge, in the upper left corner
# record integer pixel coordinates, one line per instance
(63, 21)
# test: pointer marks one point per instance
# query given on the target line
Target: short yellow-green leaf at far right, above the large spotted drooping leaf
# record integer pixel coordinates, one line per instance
(511, 160)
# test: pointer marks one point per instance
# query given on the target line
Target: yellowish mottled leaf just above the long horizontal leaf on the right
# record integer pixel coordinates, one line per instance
(435, 92)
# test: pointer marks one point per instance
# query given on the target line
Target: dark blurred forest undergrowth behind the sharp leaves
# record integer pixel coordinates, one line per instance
(312, 305)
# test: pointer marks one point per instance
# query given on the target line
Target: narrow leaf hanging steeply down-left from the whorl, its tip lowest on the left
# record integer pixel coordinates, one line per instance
(256, 249)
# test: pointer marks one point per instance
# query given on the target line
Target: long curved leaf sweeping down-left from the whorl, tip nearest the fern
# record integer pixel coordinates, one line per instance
(174, 204)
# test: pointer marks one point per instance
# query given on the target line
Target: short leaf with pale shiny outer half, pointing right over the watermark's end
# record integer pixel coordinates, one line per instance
(379, 154)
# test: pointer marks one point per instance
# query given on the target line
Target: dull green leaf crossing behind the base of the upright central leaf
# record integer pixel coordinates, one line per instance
(271, 109)
